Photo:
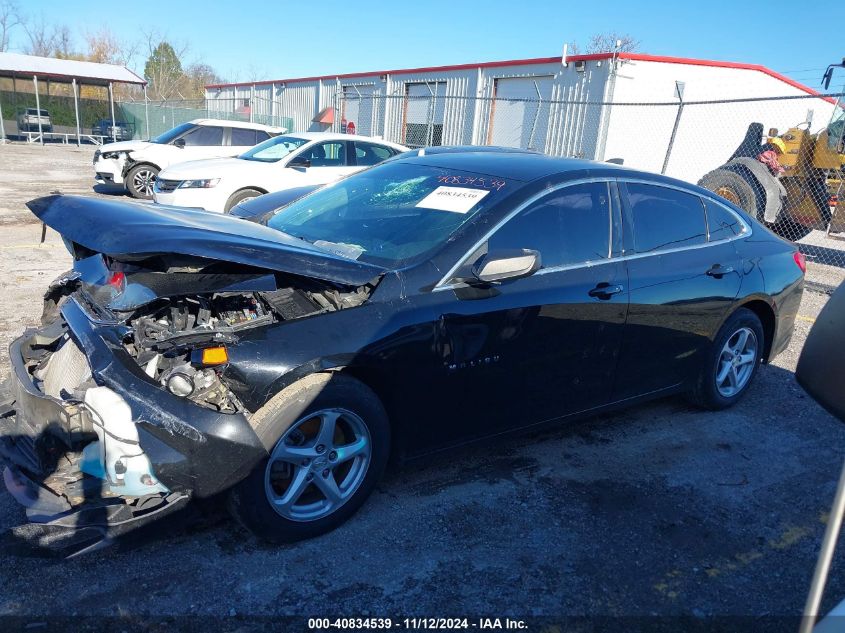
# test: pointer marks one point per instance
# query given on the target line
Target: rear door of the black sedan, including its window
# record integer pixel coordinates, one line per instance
(682, 283)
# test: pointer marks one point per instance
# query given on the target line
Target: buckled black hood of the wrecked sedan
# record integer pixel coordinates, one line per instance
(120, 228)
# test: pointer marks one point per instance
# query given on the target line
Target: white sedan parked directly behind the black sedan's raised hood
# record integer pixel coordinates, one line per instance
(282, 162)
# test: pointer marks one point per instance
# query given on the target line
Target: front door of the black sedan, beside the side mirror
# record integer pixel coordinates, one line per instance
(544, 346)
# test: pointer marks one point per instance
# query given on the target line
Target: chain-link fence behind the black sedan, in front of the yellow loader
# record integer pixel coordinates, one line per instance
(779, 158)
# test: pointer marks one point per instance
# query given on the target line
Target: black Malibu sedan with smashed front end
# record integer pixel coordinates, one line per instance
(411, 307)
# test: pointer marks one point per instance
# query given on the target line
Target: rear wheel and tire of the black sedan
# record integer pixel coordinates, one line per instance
(710, 392)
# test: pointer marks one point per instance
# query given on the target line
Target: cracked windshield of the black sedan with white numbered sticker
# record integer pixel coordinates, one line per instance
(391, 214)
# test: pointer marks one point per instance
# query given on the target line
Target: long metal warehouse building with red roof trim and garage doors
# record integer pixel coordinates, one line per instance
(680, 116)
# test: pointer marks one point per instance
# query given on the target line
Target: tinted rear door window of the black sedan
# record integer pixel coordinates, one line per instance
(665, 218)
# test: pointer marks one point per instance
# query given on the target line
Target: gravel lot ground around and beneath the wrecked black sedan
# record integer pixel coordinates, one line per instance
(661, 509)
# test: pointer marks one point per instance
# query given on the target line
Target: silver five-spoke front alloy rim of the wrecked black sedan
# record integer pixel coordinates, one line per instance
(318, 465)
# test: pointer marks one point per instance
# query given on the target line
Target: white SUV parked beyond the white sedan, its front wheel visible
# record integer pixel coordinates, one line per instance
(136, 164)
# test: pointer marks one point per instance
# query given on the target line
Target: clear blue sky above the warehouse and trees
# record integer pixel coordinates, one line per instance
(255, 40)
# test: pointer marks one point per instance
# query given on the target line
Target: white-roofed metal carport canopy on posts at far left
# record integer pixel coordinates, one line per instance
(13, 65)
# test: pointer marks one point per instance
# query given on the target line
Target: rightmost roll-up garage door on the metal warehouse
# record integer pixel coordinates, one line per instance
(520, 113)
